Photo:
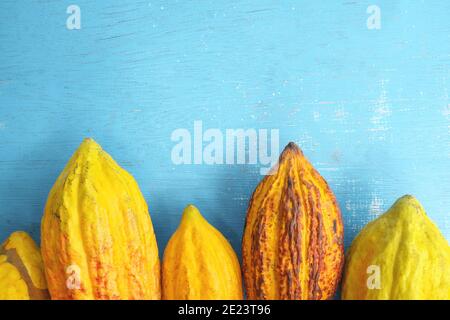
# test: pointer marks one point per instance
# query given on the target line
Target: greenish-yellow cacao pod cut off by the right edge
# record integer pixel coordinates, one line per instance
(401, 255)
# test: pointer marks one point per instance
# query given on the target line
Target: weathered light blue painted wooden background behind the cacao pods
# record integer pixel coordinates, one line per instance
(370, 108)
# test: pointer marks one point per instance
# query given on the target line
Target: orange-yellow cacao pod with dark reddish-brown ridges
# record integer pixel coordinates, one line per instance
(293, 239)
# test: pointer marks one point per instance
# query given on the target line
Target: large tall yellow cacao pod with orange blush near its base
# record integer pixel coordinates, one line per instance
(97, 235)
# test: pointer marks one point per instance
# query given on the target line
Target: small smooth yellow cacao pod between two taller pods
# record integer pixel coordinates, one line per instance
(199, 263)
